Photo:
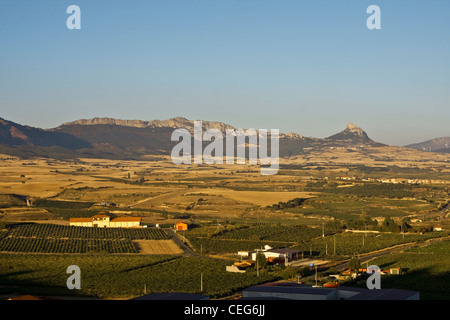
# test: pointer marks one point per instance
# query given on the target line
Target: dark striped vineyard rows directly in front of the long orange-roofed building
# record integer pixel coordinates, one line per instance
(49, 238)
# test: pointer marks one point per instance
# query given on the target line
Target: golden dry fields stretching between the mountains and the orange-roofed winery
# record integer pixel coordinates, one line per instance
(161, 192)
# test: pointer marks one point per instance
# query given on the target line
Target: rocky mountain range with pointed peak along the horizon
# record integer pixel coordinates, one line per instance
(134, 139)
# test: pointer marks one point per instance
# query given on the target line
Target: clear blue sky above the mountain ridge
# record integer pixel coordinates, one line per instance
(308, 67)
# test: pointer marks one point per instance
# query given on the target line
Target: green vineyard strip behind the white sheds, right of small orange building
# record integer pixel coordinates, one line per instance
(230, 240)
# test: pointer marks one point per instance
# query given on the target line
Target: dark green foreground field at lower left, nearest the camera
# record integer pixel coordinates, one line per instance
(123, 277)
